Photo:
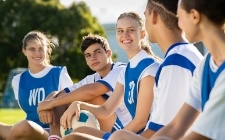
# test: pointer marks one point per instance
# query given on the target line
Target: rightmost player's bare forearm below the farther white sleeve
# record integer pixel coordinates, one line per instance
(180, 124)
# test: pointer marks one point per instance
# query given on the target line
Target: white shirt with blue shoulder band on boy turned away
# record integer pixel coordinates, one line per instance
(172, 83)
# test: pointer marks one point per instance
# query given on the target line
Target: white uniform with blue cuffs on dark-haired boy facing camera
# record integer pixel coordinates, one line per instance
(109, 81)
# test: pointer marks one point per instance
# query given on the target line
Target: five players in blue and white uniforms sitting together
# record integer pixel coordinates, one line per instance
(178, 97)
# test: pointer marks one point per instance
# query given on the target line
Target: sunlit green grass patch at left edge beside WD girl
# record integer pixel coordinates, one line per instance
(11, 116)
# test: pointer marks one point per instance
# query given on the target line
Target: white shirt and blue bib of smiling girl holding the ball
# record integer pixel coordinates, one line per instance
(140, 66)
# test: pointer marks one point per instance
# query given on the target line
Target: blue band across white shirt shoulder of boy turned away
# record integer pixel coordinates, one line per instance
(178, 60)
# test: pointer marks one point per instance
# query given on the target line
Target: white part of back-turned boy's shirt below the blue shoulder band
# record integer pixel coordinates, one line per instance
(169, 95)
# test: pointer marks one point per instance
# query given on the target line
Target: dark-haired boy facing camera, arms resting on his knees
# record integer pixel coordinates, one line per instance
(95, 88)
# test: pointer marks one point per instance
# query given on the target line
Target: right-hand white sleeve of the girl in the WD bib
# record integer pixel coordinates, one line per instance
(64, 79)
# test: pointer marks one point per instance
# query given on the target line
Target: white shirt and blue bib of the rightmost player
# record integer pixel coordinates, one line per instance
(207, 95)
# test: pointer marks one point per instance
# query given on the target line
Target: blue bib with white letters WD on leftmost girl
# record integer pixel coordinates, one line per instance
(34, 90)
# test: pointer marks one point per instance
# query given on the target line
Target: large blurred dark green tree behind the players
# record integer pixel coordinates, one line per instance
(68, 24)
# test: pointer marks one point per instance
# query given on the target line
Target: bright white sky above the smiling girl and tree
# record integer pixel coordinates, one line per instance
(107, 11)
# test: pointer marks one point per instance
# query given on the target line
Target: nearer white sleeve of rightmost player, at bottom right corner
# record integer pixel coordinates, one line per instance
(211, 122)
